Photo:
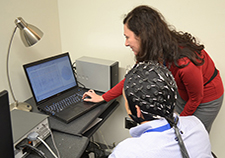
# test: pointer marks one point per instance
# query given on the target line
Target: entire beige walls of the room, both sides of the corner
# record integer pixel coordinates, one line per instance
(94, 28)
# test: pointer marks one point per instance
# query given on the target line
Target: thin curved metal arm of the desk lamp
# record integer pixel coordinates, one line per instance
(7, 65)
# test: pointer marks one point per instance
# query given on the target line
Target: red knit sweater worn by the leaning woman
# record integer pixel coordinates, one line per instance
(190, 81)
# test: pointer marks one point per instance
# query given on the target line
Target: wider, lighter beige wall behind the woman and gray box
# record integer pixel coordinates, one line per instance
(94, 28)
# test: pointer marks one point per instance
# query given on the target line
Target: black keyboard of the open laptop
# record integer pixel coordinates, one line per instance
(64, 103)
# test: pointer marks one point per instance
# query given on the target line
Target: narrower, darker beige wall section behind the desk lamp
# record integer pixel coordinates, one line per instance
(44, 15)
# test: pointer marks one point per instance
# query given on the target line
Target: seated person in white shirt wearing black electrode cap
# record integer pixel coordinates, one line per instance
(150, 94)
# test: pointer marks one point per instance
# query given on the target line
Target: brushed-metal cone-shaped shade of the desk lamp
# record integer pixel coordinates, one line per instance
(29, 33)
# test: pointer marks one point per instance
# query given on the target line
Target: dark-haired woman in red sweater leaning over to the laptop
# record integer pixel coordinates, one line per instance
(199, 82)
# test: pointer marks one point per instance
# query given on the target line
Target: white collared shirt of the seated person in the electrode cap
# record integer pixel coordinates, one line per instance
(163, 144)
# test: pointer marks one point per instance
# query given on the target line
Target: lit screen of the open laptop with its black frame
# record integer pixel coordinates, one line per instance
(50, 76)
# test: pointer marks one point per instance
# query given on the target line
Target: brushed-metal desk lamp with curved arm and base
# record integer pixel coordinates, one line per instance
(29, 35)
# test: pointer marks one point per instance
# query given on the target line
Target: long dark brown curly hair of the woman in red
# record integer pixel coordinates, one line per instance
(159, 41)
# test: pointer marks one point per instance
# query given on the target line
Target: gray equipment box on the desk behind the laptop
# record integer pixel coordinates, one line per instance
(97, 74)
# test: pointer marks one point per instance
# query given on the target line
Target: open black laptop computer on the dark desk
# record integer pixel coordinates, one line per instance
(55, 88)
